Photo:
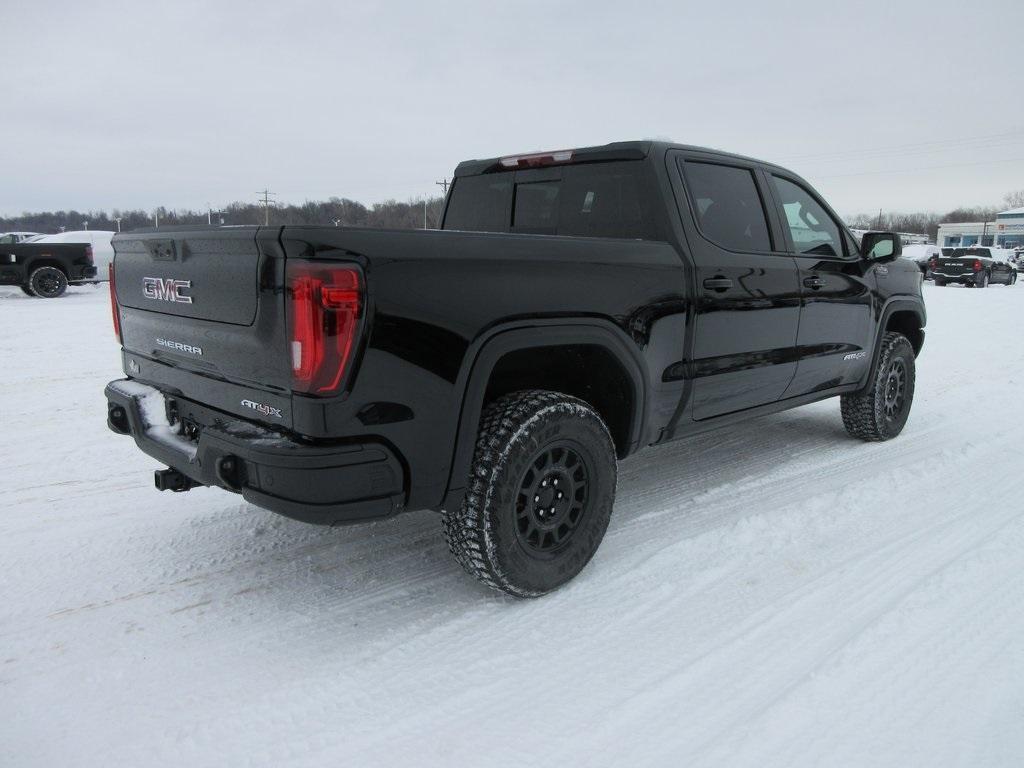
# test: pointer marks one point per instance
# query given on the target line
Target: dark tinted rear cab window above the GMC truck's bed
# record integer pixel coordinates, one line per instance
(595, 200)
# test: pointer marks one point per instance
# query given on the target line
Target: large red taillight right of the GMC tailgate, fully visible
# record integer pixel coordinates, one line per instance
(324, 315)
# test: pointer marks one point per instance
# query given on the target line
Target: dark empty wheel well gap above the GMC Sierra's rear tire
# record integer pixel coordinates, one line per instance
(589, 372)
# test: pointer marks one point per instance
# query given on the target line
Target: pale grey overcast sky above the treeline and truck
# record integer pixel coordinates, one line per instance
(903, 105)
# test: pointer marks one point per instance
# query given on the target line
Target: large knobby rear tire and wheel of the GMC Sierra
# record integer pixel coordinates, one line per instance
(495, 535)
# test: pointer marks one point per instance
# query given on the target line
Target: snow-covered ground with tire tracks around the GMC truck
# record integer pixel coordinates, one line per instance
(777, 594)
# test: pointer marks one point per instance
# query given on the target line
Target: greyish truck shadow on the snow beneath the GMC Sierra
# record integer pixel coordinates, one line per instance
(691, 486)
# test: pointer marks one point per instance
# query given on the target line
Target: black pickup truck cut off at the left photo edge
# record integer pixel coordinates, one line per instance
(45, 270)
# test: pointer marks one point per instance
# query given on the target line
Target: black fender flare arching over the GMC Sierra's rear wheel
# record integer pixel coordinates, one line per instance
(485, 356)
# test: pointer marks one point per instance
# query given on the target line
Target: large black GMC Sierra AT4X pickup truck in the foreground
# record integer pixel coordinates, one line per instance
(575, 308)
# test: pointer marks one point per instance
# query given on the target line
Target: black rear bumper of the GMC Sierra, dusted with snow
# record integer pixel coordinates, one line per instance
(324, 485)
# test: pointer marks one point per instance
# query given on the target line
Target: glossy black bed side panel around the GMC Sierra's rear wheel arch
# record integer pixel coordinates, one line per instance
(435, 296)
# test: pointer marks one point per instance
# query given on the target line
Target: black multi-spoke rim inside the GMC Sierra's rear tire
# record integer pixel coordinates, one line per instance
(552, 499)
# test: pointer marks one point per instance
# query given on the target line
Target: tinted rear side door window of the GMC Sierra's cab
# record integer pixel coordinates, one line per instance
(728, 206)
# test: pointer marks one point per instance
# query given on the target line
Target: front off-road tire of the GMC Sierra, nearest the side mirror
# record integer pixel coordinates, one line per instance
(870, 415)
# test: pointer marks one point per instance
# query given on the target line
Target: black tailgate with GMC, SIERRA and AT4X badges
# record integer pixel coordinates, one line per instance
(202, 315)
